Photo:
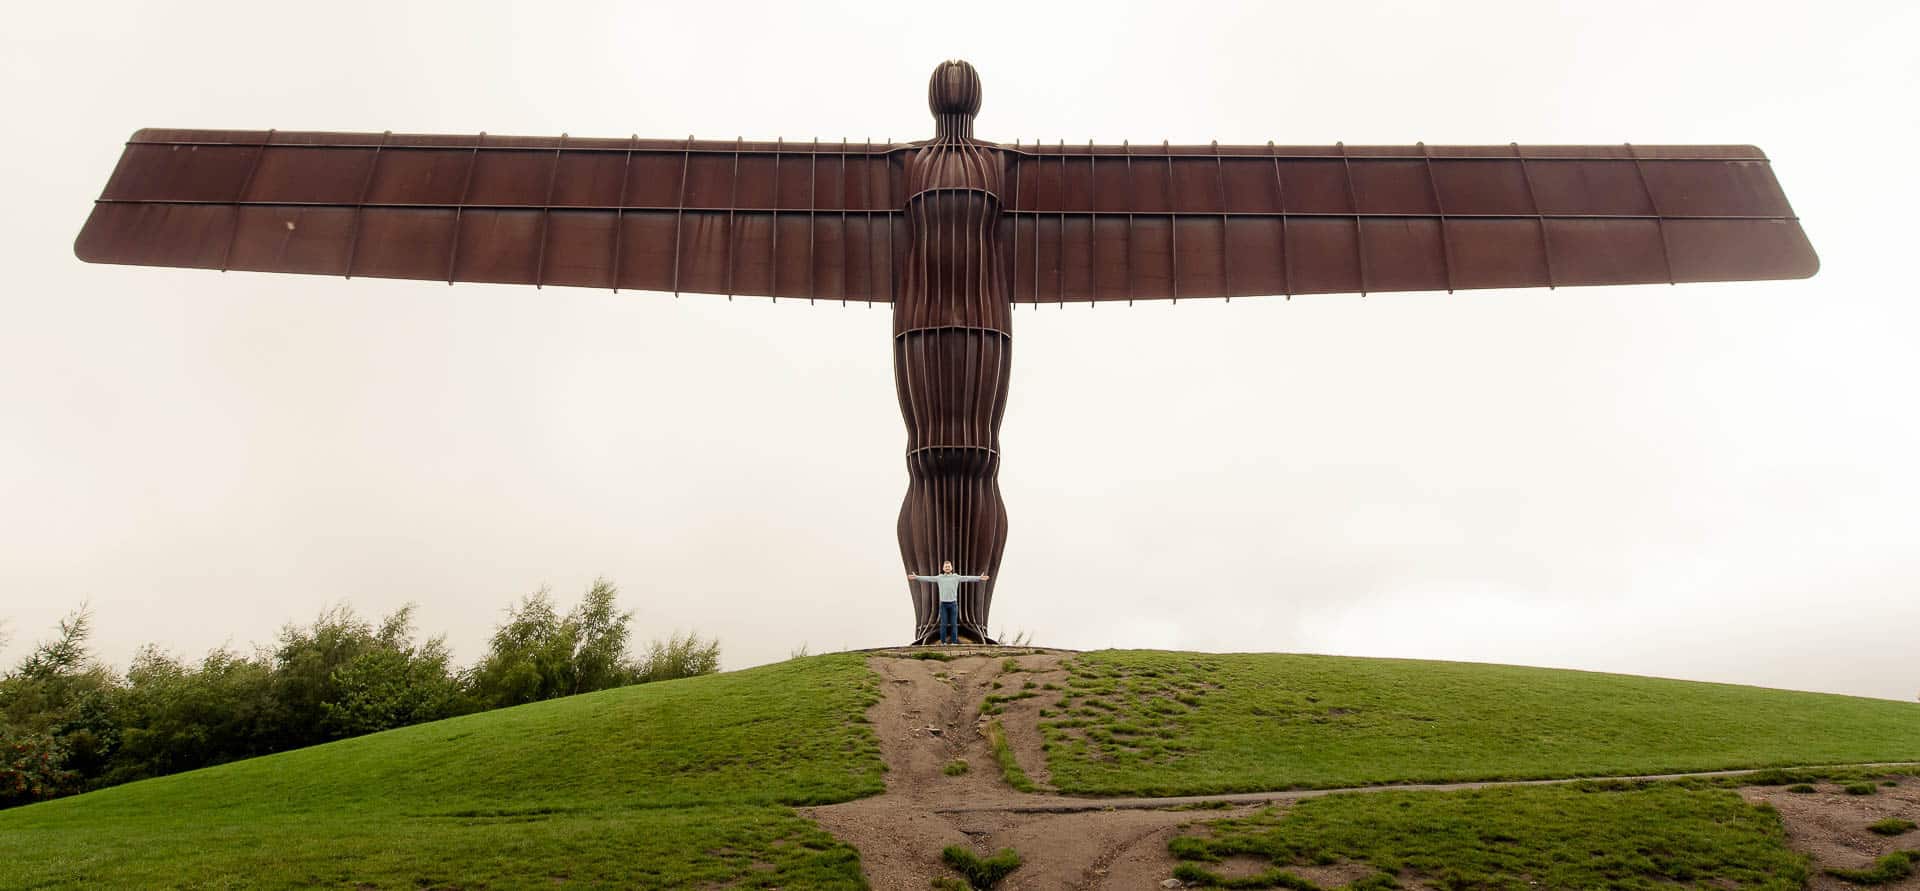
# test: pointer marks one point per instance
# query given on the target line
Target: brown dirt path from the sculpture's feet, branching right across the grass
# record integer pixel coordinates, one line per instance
(930, 717)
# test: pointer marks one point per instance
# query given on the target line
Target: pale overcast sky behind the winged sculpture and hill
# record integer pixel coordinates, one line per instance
(1712, 481)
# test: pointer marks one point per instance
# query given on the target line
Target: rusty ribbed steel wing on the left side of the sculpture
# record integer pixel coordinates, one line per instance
(779, 220)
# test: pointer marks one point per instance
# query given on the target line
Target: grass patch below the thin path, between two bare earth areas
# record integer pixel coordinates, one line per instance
(1621, 836)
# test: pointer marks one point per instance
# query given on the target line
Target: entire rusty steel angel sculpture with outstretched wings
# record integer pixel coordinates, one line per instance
(953, 233)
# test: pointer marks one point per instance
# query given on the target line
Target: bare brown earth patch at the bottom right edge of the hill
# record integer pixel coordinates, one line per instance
(1833, 827)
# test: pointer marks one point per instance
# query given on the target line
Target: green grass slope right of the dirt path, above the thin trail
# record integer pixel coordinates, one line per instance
(1155, 723)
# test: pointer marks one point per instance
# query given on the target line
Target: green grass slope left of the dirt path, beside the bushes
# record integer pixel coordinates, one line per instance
(658, 786)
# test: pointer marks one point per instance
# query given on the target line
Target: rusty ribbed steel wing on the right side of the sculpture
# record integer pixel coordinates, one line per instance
(1224, 222)
